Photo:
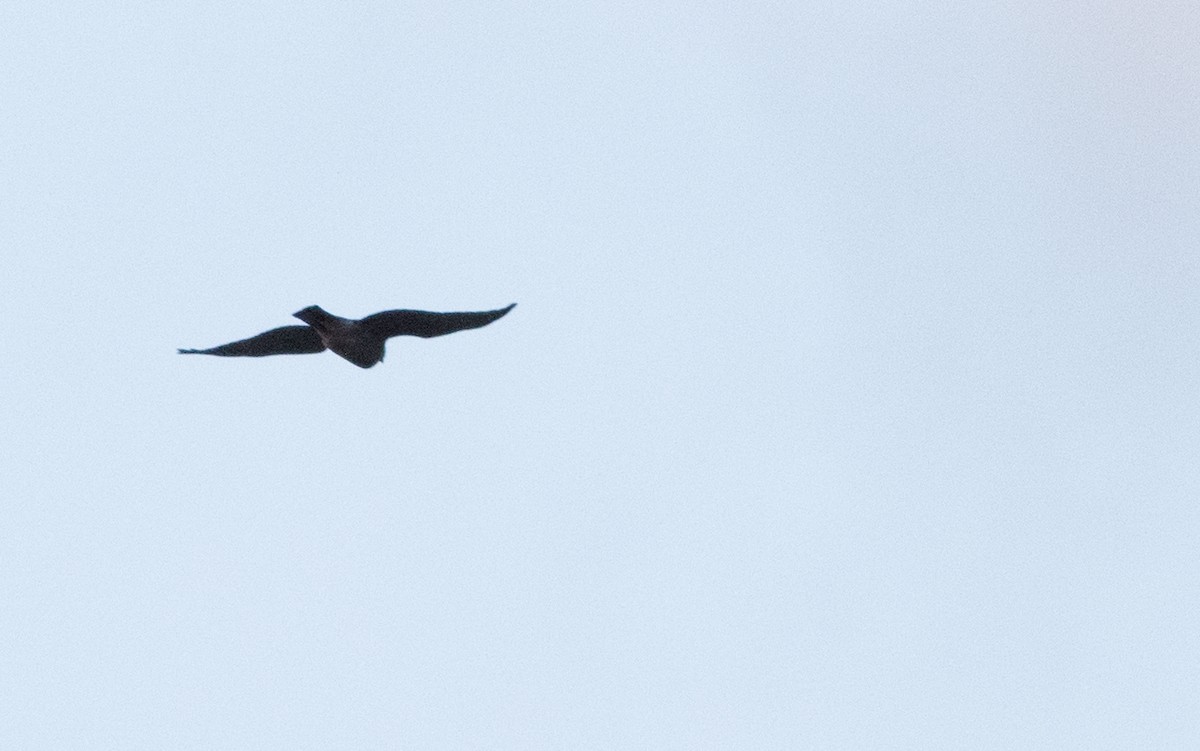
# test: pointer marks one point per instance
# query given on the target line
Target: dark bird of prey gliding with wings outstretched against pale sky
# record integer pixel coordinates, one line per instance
(359, 341)
